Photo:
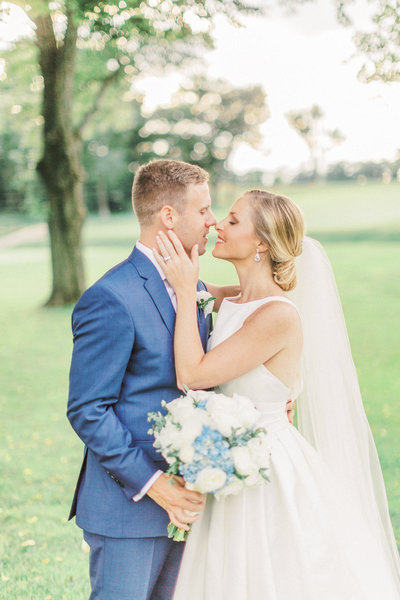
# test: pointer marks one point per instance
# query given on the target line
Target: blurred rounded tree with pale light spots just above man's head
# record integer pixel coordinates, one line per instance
(204, 123)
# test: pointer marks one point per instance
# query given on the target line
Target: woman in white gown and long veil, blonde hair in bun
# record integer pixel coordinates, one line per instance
(320, 528)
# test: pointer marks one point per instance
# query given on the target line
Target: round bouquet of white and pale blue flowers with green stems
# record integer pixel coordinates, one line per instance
(213, 441)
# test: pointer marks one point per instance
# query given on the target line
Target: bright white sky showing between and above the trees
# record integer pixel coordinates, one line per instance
(300, 59)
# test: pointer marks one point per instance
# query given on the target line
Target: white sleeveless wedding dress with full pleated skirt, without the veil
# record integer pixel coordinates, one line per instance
(298, 537)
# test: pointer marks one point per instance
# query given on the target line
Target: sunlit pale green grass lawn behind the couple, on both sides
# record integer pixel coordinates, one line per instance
(40, 553)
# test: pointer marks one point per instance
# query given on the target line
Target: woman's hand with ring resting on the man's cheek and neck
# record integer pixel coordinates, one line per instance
(181, 271)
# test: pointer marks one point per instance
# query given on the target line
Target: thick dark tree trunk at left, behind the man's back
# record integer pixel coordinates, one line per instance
(59, 166)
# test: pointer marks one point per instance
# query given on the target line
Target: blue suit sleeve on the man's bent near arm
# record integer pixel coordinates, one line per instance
(104, 335)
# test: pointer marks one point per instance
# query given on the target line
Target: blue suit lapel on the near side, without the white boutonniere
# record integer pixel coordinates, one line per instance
(155, 287)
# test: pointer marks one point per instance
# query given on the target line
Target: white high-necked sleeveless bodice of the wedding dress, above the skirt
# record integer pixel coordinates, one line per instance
(268, 393)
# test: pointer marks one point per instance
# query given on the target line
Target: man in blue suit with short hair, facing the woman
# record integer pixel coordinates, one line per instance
(122, 367)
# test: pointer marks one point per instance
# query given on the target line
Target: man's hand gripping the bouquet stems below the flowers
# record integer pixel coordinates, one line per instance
(182, 505)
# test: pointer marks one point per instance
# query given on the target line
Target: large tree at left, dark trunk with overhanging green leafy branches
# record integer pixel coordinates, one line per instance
(84, 47)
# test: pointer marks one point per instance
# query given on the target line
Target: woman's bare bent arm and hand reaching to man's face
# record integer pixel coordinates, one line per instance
(264, 334)
